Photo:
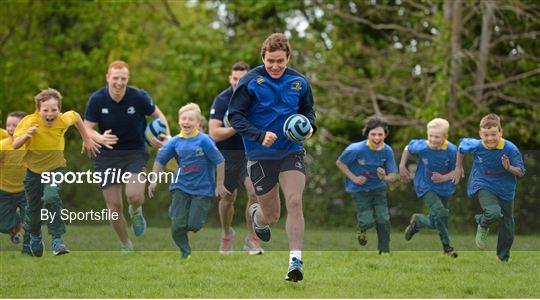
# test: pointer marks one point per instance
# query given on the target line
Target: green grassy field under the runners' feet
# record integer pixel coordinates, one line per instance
(337, 270)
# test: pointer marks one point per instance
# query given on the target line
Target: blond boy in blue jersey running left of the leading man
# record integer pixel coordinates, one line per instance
(196, 184)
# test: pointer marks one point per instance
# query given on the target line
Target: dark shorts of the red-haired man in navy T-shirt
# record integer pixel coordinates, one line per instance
(127, 161)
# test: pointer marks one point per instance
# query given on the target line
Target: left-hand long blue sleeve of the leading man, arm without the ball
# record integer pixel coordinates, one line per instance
(238, 111)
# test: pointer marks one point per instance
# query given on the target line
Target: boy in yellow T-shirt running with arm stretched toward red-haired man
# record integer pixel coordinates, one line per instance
(42, 134)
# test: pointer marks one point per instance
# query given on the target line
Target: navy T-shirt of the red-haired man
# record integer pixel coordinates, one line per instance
(126, 119)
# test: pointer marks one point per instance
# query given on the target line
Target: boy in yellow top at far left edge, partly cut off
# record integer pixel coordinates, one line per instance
(12, 199)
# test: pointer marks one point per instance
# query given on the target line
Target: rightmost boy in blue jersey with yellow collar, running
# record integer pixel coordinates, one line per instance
(496, 163)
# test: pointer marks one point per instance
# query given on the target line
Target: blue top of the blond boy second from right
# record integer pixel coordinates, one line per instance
(430, 160)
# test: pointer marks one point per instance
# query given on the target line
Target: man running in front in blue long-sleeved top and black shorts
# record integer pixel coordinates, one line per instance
(264, 98)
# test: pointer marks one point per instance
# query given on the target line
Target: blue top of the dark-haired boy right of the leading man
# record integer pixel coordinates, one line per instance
(362, 160)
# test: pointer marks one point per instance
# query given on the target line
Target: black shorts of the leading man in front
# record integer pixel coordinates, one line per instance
(265, 173)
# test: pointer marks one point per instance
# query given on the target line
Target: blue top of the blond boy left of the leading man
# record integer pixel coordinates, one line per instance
(197, 159)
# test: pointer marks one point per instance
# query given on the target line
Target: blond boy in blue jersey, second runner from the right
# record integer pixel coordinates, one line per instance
(432, 180)
